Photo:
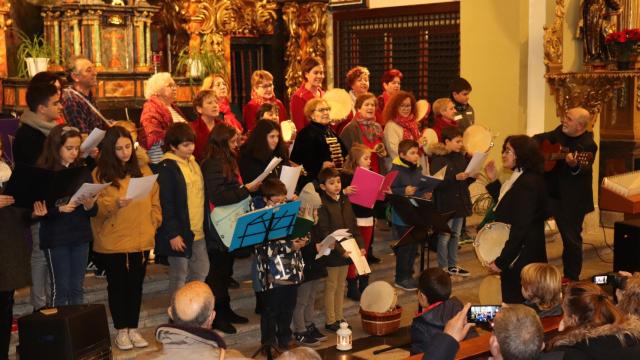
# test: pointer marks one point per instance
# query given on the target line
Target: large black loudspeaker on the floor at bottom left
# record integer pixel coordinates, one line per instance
(74, 332)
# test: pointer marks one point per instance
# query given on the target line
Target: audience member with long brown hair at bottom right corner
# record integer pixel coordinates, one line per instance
(593, 328)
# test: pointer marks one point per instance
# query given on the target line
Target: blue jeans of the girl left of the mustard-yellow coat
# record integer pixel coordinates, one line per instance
(67, 265)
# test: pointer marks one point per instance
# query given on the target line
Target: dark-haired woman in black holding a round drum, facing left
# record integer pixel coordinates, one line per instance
(521, 203)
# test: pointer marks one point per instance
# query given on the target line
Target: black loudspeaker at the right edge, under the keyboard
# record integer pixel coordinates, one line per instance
(626, 246)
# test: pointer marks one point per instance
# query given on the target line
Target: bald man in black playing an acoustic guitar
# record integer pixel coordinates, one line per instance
(569, 185)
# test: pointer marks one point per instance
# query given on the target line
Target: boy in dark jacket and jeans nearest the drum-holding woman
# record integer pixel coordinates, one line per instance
(451, 195)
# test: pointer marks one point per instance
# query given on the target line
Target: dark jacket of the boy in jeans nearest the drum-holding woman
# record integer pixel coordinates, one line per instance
(451, 194)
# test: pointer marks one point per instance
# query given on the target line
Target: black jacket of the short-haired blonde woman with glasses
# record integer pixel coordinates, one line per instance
(311, 150)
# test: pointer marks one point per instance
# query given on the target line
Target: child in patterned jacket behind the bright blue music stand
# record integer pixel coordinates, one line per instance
(280, 266)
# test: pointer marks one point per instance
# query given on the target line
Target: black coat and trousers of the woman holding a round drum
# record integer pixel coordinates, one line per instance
(524, 208)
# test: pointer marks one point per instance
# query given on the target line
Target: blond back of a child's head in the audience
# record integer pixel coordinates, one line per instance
(542, 284)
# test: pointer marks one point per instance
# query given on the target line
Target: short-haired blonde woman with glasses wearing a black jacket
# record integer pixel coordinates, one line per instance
(317, 146)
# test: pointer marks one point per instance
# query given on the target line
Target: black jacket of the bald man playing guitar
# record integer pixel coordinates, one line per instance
(570, 187)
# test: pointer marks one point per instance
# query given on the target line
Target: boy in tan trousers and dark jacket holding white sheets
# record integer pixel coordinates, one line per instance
(336, 213)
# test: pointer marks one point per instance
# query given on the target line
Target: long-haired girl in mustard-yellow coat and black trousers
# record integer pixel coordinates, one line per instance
(124, 231)
